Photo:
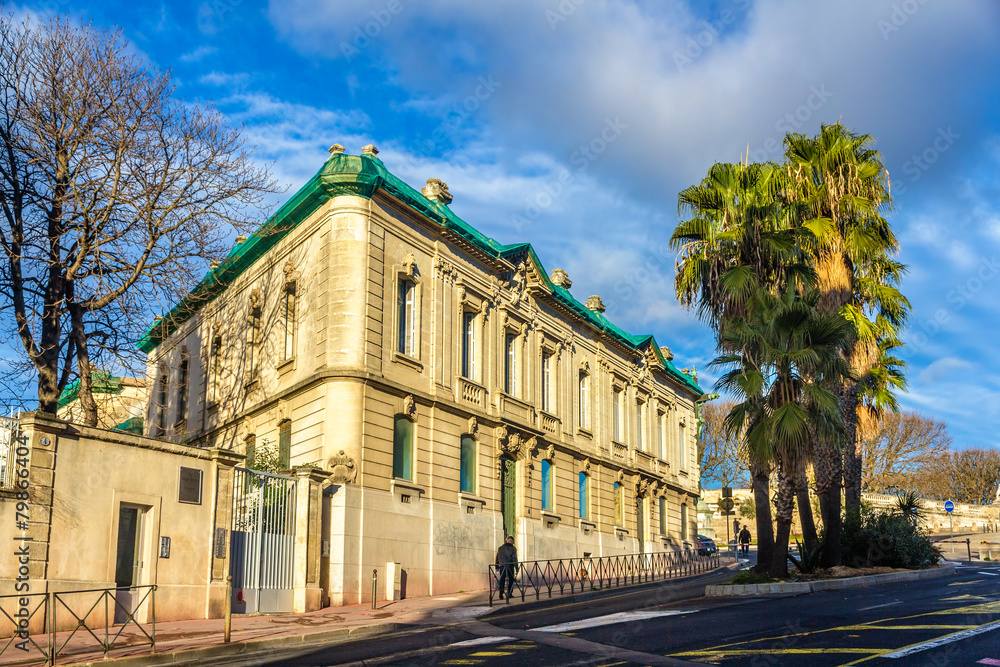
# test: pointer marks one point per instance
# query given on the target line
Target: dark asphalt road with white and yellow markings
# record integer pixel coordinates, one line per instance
(948, 621)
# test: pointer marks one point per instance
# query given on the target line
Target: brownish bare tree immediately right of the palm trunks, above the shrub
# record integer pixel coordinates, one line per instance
(898, 448)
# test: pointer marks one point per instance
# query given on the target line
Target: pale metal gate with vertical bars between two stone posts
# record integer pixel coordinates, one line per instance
(262, 556)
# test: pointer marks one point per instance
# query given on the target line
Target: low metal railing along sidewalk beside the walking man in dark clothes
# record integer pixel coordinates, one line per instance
(594, 573)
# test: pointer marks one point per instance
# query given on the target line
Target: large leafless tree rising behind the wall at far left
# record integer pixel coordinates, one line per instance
(113, 195)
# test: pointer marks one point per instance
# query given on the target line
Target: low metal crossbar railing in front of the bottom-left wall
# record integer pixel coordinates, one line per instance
(50, 643)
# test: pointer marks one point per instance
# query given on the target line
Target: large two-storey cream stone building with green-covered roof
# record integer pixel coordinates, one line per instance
(452, 389)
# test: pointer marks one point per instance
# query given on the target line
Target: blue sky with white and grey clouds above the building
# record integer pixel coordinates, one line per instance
(574, 124)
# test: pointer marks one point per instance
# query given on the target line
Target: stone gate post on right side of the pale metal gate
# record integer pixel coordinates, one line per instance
(309, 483)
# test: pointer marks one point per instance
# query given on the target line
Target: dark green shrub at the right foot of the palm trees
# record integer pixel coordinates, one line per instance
(886, 539)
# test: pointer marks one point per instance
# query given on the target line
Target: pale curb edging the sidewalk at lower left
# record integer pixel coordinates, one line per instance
(248, 648)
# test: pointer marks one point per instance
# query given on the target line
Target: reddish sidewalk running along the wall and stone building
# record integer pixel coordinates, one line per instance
(260, 633)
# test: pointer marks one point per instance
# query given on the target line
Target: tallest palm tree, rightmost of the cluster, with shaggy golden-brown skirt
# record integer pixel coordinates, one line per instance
(841, 187)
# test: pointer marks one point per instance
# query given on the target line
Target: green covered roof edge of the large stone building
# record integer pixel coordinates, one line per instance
(363, 175)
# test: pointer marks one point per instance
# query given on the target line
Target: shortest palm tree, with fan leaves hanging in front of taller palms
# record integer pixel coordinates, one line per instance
(783, 356)
